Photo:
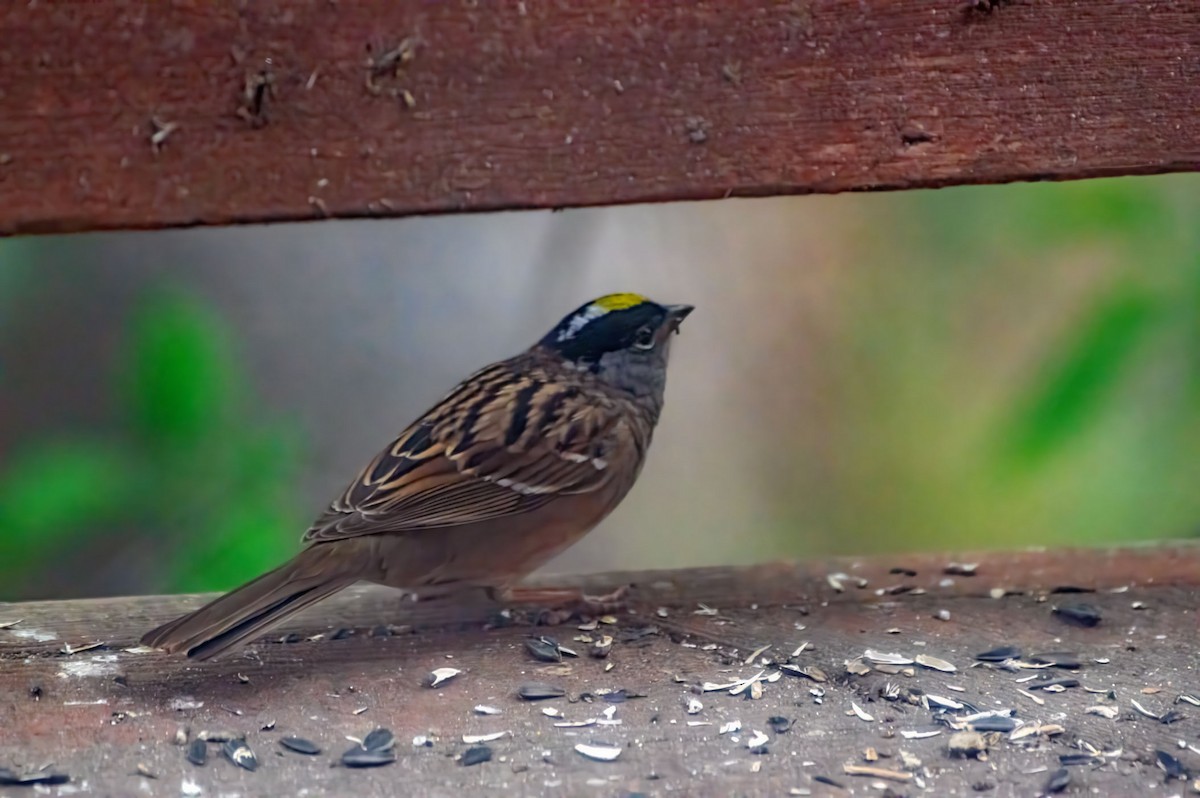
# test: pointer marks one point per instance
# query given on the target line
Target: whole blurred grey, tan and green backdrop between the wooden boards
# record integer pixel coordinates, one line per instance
(969, 368)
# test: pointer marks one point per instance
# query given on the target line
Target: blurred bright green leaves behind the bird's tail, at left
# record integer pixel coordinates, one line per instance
(190, 472)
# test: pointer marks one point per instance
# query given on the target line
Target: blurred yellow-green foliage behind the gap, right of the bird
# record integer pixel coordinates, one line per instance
(1025, 371)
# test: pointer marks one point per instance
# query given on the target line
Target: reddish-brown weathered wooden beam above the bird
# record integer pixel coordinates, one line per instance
(137, 116)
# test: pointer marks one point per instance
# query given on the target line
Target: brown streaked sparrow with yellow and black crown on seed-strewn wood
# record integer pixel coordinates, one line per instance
(508, 470)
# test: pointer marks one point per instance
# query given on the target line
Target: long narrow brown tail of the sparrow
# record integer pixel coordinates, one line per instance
(248, 611)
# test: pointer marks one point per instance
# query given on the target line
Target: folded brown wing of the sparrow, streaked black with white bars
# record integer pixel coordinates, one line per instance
(499, 446)
